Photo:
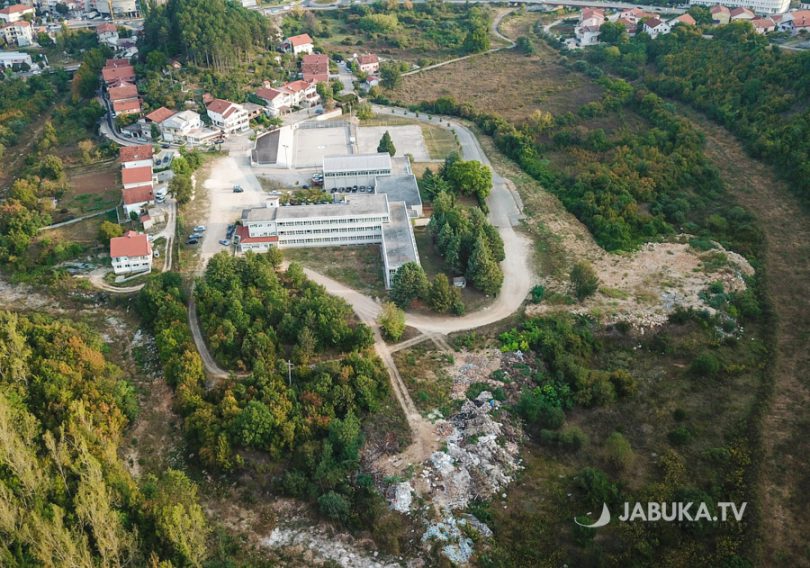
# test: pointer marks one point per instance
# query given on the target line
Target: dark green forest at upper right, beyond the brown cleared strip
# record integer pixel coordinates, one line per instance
(755, 90)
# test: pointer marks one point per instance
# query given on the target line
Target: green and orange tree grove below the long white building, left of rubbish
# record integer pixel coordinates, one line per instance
(307, 416)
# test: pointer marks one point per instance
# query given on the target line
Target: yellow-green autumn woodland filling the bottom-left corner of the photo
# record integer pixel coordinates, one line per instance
(65, 497)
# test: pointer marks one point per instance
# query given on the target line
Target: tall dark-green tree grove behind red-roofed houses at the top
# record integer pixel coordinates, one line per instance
(212, 33)
